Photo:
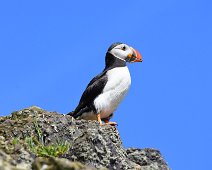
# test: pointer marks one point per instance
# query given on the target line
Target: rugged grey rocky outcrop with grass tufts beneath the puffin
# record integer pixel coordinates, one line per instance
(37, 139)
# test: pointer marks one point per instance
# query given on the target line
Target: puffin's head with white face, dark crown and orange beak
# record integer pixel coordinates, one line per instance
(125, 52)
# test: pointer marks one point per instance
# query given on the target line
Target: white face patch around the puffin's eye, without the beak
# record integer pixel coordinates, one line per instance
(121, 51)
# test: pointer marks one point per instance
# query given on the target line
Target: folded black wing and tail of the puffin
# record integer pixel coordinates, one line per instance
(94, 88)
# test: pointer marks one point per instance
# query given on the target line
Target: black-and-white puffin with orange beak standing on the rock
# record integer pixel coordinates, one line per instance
(105, 91)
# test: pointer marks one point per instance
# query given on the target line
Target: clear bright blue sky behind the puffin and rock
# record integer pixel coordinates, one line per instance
(50, 50)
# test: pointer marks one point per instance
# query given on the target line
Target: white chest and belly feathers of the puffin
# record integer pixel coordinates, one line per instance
(118, 84)
